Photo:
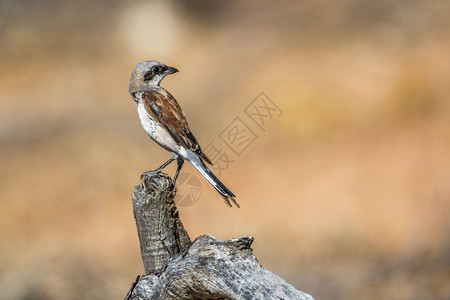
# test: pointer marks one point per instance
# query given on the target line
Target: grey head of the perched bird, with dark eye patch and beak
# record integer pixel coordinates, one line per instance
(148, 74)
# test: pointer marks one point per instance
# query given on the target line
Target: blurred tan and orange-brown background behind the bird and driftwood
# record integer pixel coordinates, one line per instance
(347, 193)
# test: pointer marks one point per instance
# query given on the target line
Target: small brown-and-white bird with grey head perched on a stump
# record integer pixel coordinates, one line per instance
(165, 123)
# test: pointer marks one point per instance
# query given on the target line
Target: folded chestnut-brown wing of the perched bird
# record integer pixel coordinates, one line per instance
(163, 107)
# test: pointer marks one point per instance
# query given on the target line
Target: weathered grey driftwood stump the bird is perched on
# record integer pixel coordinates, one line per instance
(206, 268)
